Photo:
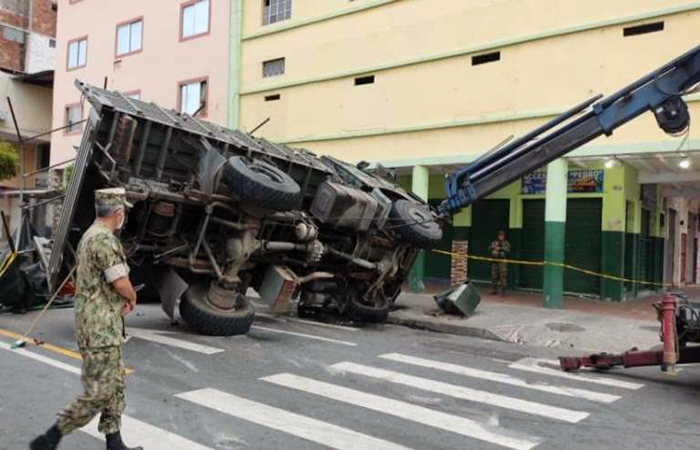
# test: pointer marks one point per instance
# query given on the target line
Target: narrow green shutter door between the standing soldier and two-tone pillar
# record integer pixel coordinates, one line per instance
(532, 246)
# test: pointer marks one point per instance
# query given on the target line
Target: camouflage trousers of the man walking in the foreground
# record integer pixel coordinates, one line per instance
(103, 381)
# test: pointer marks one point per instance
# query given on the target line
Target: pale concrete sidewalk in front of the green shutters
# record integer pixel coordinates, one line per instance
(583, 325)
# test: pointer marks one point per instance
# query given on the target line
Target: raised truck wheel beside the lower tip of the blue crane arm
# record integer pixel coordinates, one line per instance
(414, 223)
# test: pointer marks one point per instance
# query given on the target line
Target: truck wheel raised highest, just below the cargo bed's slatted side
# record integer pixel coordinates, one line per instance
(261, 184)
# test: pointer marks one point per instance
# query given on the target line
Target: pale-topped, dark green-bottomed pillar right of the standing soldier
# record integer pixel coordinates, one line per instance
(555, 232)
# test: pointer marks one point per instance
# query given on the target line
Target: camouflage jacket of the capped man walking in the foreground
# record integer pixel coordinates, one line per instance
(101, 260)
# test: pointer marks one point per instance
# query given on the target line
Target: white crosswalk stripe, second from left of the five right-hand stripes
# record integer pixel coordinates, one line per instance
(407, 411)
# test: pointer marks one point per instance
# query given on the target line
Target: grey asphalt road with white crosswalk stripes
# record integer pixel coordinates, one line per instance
(298, 385)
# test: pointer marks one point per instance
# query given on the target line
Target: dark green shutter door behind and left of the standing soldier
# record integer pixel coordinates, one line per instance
(488, 217)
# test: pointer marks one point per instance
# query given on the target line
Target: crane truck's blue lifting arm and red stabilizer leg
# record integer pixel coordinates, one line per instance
(661, 92)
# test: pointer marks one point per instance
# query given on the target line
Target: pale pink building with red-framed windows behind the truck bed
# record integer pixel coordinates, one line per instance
(173, 53)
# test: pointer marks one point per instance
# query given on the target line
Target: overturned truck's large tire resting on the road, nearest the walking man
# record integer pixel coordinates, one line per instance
(207, 319)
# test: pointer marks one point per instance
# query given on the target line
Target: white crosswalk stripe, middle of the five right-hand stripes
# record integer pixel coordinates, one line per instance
(473, 395)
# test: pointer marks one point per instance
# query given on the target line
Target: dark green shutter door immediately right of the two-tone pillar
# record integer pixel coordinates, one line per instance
(583, 244)
